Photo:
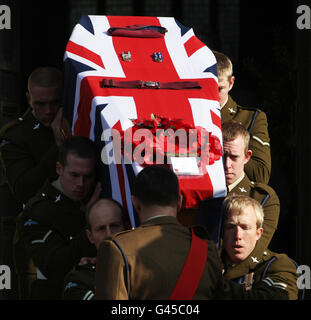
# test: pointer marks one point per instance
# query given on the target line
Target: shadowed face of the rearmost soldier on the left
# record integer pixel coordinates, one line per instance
(44, 102)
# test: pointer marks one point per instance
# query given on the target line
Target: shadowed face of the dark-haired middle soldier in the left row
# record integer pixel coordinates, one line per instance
(77, 177)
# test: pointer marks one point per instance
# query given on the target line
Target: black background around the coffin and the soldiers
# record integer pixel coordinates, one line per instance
(271, 59)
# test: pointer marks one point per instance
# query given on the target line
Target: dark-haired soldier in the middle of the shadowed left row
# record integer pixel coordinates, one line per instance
(52, 223)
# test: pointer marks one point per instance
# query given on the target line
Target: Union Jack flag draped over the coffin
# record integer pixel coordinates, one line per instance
(91, 55)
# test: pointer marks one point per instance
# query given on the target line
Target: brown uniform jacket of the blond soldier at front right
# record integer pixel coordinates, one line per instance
(254, 271)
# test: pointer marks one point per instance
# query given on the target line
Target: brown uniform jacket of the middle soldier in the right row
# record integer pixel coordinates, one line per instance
(267, 197)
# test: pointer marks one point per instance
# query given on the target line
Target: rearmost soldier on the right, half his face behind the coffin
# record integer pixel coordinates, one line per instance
(258, 169)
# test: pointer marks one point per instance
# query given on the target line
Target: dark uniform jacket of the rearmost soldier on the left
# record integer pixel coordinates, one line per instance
(29, 155)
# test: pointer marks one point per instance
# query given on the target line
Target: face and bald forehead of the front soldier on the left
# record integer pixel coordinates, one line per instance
(105, 220)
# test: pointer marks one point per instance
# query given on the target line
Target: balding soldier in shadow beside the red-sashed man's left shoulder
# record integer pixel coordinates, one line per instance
(104, 219)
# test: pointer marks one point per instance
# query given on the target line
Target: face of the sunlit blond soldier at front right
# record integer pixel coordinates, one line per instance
(240, 234)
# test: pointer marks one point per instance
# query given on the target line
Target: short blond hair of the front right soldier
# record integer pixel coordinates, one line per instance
(239, 203)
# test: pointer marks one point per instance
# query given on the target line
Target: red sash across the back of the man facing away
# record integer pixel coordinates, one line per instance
(191, 274)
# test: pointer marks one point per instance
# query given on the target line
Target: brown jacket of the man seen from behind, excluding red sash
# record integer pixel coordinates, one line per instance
(156, 252)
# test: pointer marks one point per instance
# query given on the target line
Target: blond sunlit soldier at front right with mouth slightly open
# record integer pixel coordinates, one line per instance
(242, 229)
